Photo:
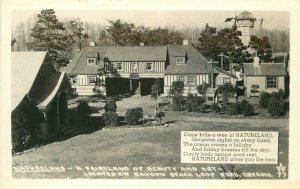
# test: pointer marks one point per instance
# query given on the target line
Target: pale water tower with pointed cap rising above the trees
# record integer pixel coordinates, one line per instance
(245, 24)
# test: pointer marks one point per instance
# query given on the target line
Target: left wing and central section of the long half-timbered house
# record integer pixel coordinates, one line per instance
(117, 69)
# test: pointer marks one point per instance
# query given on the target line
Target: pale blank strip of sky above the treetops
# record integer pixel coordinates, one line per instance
(179, 19)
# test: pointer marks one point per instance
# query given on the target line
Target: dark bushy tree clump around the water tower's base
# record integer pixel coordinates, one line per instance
(212, 43)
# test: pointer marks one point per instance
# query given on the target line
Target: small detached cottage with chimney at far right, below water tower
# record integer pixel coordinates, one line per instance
(259, 77)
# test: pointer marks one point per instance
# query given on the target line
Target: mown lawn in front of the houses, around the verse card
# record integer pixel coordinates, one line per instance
(144, 147)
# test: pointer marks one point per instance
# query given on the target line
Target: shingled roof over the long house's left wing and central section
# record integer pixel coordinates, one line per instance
(127, 53)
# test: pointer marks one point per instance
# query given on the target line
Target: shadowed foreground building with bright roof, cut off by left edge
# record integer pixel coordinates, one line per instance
(39, 97)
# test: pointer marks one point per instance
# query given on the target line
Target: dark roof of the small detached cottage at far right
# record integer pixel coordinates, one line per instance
(264, 69)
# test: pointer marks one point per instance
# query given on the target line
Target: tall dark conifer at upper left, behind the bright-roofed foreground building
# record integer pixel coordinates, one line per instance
(48, 35)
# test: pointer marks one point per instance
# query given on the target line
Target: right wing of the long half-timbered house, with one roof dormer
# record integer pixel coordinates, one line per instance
(186, 64)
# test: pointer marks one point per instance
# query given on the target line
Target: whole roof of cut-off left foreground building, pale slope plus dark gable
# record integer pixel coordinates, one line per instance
(34, 77)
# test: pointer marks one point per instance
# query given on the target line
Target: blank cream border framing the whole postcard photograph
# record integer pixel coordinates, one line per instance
(6, 181)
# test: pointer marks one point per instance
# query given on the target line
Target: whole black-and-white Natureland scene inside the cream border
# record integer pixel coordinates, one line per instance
(135, 94)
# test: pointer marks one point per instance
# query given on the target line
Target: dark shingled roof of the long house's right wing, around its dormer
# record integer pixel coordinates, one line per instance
(195, 61)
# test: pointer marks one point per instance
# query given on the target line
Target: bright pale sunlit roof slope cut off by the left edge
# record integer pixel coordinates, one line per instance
(24, 69)
